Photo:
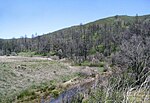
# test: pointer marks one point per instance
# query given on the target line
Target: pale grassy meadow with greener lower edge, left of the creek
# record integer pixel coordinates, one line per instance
(28, 79)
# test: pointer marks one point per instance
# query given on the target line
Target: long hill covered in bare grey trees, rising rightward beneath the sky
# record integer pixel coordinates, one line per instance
(102, 36)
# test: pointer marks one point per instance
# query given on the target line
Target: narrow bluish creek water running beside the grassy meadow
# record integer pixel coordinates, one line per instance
(68, 95)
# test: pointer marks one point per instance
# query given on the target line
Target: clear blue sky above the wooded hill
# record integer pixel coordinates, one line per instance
(26, 17)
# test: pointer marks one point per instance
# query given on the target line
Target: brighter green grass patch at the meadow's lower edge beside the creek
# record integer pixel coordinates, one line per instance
(36, 91)
